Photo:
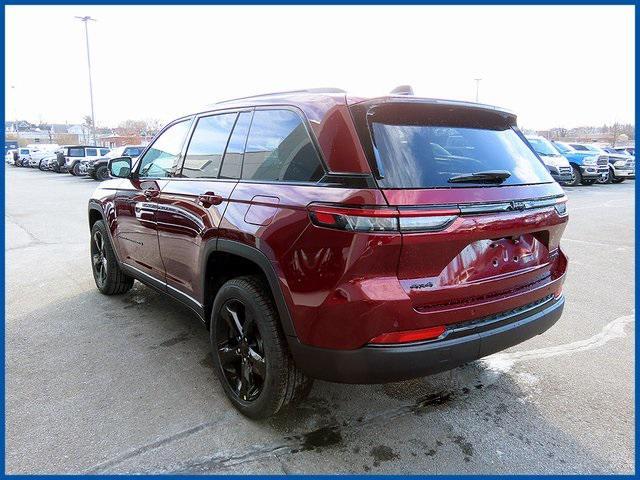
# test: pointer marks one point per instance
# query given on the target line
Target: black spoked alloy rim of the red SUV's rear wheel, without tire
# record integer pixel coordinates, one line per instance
(241, 351)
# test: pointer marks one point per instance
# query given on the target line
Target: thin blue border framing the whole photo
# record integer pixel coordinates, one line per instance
(292, 2)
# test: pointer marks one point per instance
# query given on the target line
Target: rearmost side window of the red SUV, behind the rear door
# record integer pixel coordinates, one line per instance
(280, 149)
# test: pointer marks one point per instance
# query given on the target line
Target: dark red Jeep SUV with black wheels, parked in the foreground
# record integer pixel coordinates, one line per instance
(321, 235)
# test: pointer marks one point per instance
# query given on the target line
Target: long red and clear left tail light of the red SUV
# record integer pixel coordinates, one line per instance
(372, 219)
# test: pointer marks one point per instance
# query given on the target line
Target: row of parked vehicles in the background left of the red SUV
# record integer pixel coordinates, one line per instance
(77, 160)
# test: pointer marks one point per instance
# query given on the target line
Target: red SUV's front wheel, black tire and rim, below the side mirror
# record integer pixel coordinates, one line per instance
(109, 277)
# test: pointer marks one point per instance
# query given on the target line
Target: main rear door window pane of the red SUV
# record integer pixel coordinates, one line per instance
(209, 139)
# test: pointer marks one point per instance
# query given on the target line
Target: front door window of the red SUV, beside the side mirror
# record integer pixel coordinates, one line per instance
(162, 158)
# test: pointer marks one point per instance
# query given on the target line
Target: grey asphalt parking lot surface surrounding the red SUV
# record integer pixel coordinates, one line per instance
(125, 384)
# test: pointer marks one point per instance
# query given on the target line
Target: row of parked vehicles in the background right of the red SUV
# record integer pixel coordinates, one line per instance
(585, 163)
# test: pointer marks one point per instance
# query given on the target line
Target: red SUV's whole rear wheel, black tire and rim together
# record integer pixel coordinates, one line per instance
(253, 362)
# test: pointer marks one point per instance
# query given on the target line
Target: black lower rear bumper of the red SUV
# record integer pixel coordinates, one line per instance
(463, 343)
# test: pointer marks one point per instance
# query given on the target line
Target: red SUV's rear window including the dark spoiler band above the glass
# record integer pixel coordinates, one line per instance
(427, 149)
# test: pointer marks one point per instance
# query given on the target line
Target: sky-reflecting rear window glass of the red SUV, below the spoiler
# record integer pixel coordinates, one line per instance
(425, 156)
